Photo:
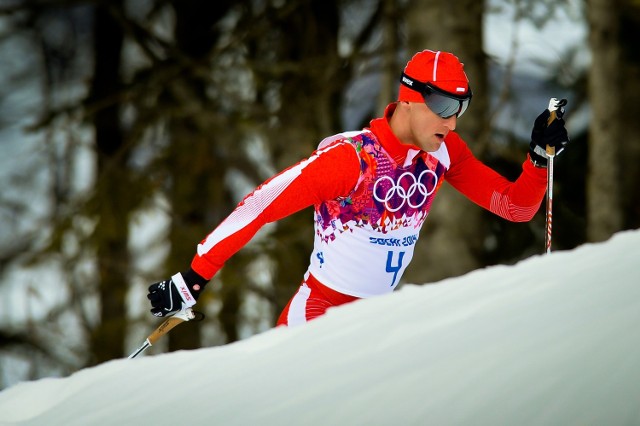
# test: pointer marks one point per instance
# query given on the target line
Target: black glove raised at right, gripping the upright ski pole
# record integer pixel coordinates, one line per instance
(543, 134)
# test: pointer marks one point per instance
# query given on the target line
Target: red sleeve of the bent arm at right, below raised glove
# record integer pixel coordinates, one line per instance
(515, 201)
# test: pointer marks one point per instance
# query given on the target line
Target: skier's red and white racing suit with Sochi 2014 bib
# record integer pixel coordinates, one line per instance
(371, 195)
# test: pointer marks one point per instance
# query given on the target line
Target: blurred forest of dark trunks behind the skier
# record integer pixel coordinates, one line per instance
(130, 129)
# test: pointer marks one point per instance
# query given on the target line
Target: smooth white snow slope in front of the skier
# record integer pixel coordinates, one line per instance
(552, 340)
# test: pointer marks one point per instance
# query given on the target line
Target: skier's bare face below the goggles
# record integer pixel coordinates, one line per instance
(428, 129)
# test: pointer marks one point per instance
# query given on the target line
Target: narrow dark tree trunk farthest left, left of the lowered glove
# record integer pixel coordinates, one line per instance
(112, 195)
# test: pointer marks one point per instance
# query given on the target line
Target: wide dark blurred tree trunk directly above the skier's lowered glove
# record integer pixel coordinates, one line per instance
(197, 160)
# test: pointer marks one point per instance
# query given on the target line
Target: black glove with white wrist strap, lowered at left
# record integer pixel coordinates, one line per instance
(180, 291)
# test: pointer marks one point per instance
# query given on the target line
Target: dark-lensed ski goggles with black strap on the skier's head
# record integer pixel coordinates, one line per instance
(443, 104)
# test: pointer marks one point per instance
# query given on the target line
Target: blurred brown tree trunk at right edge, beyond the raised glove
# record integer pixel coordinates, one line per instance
(614, 145)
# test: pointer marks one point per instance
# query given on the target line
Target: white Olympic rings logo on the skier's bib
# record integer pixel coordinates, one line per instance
(398, 191)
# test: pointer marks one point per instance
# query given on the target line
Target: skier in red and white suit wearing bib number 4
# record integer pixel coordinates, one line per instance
(371, 191)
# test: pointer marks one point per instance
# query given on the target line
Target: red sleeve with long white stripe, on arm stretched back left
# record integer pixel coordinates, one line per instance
(330, 172)
